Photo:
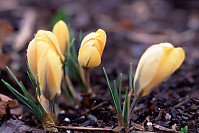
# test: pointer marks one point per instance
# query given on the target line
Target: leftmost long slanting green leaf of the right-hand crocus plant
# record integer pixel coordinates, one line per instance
(111, 91)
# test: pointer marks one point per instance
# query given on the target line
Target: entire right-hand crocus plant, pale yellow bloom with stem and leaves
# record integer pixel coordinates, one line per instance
(156, 64)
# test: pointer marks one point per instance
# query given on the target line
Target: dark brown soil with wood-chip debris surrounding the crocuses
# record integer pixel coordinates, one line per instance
(131, 27)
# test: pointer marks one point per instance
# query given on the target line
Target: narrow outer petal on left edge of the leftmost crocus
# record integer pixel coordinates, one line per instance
(32, 58)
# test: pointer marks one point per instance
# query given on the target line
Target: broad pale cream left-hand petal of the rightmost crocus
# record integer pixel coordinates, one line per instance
(147, 68)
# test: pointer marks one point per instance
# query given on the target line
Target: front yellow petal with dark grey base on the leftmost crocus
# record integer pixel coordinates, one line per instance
(49, 72)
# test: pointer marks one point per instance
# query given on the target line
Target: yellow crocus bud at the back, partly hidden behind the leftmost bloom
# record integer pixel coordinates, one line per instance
(60, 30)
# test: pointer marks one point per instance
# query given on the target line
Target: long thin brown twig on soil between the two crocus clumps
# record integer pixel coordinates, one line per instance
(85, 129)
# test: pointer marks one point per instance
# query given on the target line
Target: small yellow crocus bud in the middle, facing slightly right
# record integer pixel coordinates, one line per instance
(91, 49)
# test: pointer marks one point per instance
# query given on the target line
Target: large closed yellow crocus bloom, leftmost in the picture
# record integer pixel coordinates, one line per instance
(45, 64)
